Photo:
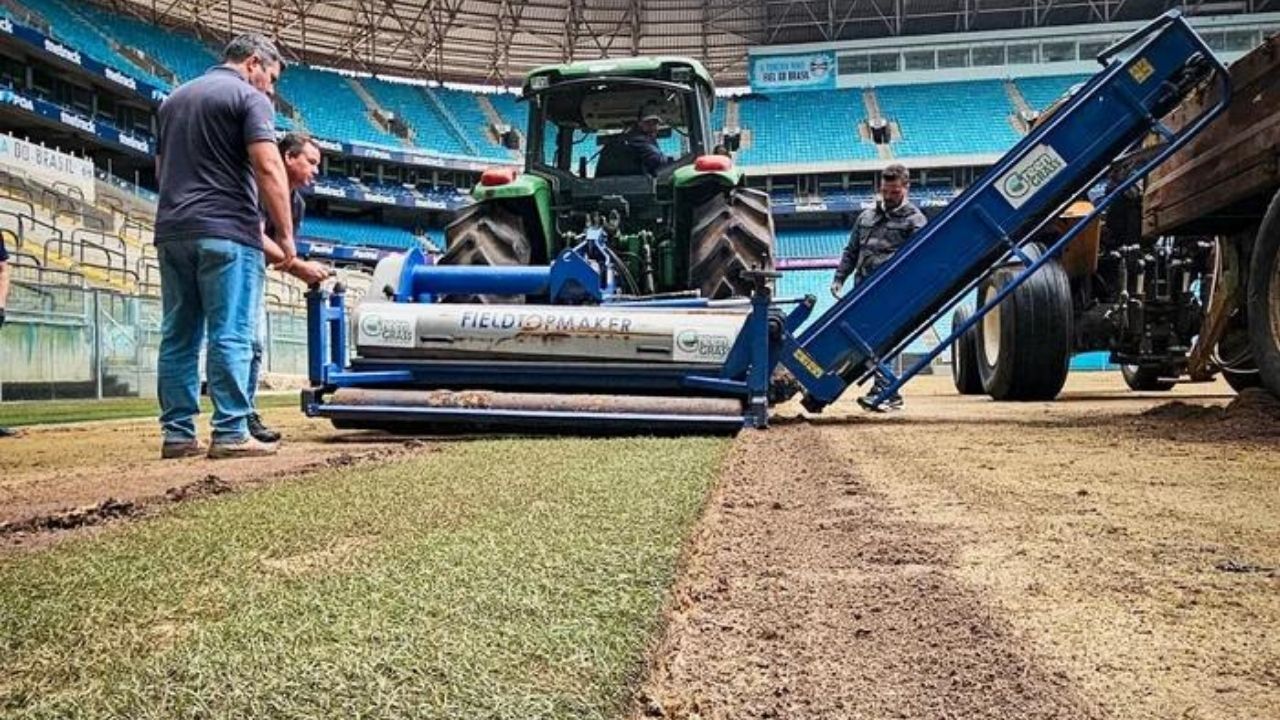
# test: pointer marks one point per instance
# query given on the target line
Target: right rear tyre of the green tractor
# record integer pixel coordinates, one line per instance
(732, 233)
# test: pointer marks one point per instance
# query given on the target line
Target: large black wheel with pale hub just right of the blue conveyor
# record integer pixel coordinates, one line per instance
(1025, 344)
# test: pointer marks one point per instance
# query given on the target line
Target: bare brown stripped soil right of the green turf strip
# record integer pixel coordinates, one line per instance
(1110, 555)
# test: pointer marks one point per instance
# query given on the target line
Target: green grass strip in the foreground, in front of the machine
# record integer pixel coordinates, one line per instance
(513, 578)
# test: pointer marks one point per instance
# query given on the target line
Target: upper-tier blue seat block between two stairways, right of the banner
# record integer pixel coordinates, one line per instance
(982, 127)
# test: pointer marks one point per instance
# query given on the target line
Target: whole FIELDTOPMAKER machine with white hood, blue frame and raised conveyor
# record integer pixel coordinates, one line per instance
(588, 357)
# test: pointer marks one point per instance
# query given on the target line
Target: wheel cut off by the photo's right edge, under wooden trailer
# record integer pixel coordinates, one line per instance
(1263, 300)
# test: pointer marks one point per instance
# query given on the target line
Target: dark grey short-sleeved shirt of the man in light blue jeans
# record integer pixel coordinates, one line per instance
(207, 181)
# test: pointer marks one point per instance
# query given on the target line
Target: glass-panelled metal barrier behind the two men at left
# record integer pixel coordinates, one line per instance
(63, 340)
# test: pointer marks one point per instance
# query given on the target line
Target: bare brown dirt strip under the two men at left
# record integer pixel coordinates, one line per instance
(58, 479)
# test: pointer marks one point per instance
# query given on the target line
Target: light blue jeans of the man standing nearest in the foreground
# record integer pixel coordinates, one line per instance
(214, 284)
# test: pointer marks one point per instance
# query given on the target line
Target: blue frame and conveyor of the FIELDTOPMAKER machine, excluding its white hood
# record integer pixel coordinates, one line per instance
(1144, 79)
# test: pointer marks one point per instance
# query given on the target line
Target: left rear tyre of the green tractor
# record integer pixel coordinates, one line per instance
(486, 235)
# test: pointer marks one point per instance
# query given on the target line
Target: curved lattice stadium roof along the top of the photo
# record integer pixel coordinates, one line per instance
(496, 42)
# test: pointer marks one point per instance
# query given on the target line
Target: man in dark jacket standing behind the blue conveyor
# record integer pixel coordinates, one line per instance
(880, 233)
